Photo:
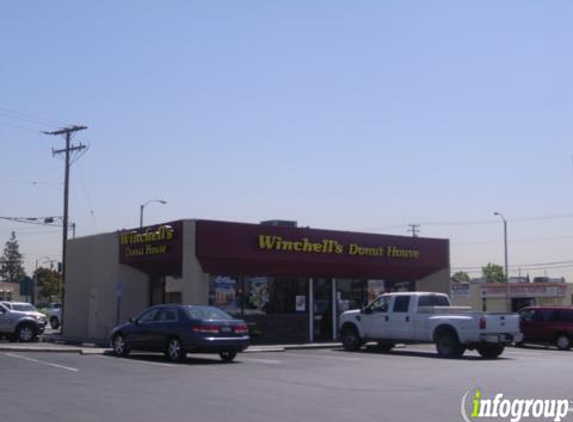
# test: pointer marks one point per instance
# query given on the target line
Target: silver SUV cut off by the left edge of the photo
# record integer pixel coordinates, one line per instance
(20, 321)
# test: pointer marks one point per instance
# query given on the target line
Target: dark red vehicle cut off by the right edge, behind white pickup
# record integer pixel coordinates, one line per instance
(547, 325)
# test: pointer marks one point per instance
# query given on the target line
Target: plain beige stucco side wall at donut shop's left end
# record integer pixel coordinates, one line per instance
(91, 298)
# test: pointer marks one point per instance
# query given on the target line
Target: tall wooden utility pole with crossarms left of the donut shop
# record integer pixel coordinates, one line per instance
(67, 132)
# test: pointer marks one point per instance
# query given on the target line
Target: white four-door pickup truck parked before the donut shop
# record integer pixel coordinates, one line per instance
(417, 317)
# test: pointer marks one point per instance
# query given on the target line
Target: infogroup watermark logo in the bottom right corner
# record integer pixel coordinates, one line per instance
(475, 407)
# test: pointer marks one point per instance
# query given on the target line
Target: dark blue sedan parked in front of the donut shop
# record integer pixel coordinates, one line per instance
(177, 330)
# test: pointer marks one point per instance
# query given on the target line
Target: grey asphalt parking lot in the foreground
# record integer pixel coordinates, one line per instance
(408, 384)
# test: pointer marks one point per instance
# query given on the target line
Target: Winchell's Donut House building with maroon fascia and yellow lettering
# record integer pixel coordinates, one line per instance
(289, 283)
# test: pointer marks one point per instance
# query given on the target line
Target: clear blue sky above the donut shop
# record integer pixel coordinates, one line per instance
(351, 115)
